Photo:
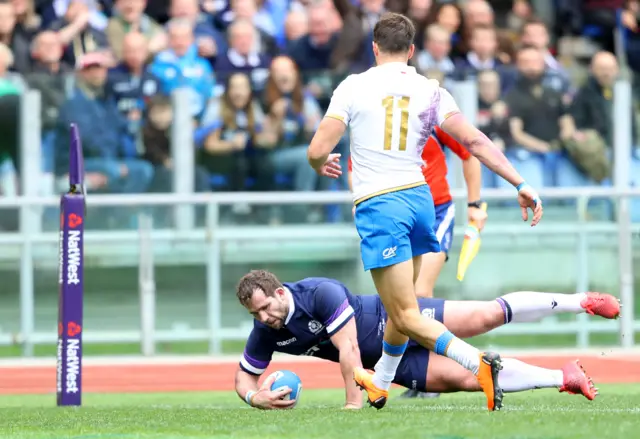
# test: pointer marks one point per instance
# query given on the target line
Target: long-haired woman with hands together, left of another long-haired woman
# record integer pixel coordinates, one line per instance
(238, 139)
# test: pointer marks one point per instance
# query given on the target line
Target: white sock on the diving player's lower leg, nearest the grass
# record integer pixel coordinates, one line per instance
(517, 376)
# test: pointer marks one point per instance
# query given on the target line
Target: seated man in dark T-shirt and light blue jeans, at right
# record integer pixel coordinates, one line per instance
(538, 119)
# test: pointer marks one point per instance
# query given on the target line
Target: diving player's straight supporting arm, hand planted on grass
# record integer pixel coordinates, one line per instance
(333, 309)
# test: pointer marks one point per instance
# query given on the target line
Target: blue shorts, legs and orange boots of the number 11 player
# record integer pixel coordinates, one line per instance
(385, 245)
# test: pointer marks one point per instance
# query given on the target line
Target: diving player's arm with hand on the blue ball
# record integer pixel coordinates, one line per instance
(255, 360)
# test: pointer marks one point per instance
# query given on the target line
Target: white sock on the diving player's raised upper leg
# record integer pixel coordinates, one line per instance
(530, 306)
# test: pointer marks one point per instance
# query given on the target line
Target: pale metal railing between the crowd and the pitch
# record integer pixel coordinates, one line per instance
(215, 235)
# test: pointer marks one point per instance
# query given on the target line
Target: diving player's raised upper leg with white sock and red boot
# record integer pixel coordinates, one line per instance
(471, 318)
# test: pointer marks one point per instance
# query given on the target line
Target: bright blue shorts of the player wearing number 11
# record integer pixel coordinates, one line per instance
(396, 226)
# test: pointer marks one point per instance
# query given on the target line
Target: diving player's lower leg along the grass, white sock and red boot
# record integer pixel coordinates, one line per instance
(445, 376)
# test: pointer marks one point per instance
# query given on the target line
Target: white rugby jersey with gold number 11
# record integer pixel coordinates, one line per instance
(391, 110)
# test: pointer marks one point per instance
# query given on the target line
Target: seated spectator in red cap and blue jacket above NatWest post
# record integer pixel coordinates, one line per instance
(110, 165)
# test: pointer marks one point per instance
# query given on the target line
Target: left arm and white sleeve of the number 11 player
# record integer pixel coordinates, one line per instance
(329, 133)
